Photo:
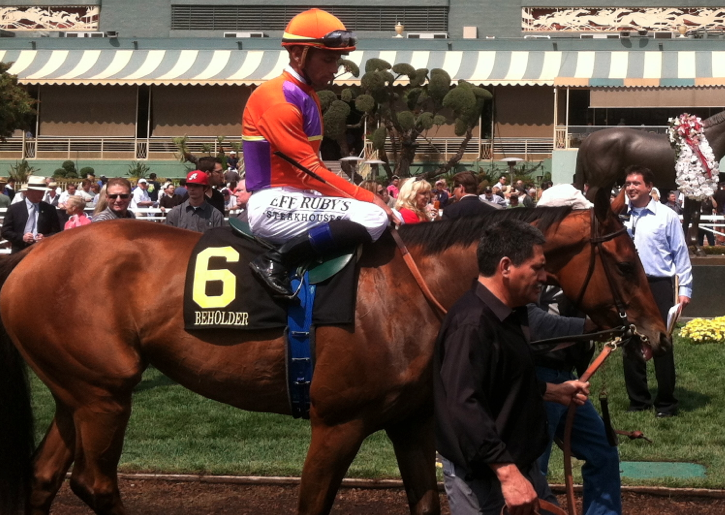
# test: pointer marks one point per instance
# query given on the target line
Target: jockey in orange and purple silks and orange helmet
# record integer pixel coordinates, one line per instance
(308, 217)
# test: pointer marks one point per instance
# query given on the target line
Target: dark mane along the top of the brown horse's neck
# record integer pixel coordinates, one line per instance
(435, 237)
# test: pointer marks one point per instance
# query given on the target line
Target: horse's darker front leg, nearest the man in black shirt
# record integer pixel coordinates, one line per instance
(414, 443)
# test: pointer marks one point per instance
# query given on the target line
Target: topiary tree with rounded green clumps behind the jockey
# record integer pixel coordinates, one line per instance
(403, 116)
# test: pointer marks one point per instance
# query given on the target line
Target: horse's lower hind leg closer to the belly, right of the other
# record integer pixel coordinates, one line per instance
(100, 430)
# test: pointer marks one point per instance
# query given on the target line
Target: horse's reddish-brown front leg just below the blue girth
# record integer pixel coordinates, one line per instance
(331, 451)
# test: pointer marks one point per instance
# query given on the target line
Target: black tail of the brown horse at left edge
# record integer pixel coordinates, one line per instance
(16, 415)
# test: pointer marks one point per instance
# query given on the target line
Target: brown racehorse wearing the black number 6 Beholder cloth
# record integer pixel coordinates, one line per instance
(90, 346)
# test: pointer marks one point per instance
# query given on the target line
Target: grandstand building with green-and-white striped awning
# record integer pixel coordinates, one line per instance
(117, 80)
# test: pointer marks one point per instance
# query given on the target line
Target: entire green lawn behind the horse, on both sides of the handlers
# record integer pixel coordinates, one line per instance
(175, 431)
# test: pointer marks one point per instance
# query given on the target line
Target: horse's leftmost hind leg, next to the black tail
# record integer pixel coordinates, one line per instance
(52, 460)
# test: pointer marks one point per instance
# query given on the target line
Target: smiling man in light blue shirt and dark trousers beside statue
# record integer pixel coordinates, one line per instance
(660, 243)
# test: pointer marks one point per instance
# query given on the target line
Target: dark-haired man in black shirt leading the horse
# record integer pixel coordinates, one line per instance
(489, 406)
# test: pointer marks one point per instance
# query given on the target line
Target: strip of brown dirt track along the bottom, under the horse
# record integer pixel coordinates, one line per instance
(160, 497)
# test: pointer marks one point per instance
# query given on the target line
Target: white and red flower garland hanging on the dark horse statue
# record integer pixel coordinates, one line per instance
(695, 164)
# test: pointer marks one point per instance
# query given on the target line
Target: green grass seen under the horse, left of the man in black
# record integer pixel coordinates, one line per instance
(173, 430)
